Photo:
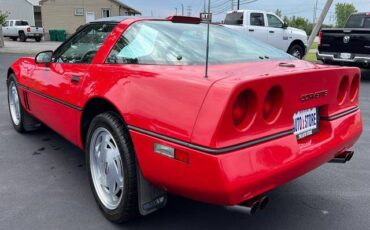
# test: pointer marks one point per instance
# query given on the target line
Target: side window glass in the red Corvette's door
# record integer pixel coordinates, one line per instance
(83, 46)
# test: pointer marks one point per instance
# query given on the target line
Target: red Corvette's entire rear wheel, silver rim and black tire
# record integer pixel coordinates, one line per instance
(111, 163)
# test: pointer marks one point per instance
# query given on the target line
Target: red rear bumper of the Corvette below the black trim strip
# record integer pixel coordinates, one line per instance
(231, 178)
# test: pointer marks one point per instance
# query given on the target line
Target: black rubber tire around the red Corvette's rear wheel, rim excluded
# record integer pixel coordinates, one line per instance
(128, 206)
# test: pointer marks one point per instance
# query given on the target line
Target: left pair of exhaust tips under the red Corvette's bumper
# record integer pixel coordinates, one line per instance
(251, 206)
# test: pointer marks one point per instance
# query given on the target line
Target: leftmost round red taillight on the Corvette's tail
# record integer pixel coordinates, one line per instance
(244, 110)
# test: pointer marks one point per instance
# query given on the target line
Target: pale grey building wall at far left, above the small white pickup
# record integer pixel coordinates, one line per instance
(18, 9)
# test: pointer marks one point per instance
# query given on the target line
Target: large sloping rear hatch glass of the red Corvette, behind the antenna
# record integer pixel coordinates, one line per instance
(167, 43)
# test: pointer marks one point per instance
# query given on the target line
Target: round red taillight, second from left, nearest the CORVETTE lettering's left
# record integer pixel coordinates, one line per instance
(273, 104)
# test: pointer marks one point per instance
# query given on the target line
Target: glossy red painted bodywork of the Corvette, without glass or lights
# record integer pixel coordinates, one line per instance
(178, 102)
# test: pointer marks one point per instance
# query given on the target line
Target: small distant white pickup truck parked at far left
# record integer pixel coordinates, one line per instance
(21, 29)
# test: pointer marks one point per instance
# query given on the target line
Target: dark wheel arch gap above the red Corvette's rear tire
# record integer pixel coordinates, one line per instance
(92, 108)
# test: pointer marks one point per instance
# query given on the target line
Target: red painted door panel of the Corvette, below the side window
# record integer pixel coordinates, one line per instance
(55, 96)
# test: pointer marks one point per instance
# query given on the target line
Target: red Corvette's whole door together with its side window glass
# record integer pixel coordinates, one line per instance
(56, 88)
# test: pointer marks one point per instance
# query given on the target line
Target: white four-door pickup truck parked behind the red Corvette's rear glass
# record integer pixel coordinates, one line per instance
(269, 28)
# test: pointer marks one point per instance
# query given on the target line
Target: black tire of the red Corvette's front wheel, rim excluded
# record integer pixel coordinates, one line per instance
(27, 122)
